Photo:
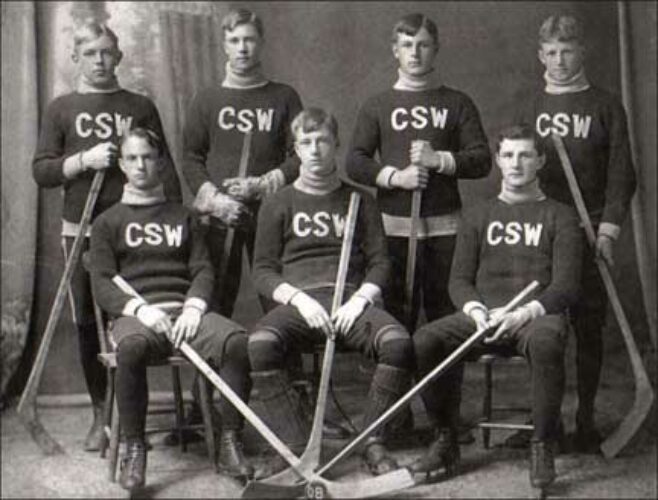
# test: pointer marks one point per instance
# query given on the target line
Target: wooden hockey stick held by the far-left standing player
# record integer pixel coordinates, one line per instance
(27, 406)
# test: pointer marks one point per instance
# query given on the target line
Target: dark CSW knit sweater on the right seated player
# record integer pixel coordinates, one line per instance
(502, 247)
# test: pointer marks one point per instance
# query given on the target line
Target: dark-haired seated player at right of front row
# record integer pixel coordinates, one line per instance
(502, 245)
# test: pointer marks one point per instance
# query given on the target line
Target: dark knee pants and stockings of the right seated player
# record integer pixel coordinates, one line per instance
(542, 342)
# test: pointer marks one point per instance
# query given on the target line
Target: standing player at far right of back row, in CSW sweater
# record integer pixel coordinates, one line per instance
(592, 124)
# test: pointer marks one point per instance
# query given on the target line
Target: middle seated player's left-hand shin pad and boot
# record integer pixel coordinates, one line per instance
(282, 414)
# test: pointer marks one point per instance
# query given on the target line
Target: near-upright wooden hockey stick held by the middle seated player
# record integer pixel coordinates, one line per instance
(310, 458)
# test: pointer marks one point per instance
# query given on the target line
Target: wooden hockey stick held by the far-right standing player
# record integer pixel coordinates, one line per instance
(643, 391)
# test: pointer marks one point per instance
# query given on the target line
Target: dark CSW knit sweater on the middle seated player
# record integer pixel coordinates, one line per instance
(299, 239)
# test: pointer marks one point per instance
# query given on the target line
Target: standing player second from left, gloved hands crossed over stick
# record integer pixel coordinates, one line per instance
(217, 121)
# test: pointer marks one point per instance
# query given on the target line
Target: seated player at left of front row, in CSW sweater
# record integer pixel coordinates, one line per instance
(158, 248)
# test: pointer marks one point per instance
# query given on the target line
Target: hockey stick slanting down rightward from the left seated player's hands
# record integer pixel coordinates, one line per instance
(361, 489)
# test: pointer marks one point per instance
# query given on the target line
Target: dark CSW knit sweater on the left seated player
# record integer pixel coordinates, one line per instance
(159, 249)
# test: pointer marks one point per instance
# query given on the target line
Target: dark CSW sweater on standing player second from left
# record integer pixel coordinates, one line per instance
(216, 122)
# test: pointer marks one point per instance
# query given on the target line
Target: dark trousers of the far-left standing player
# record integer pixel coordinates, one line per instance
(82, 311)
